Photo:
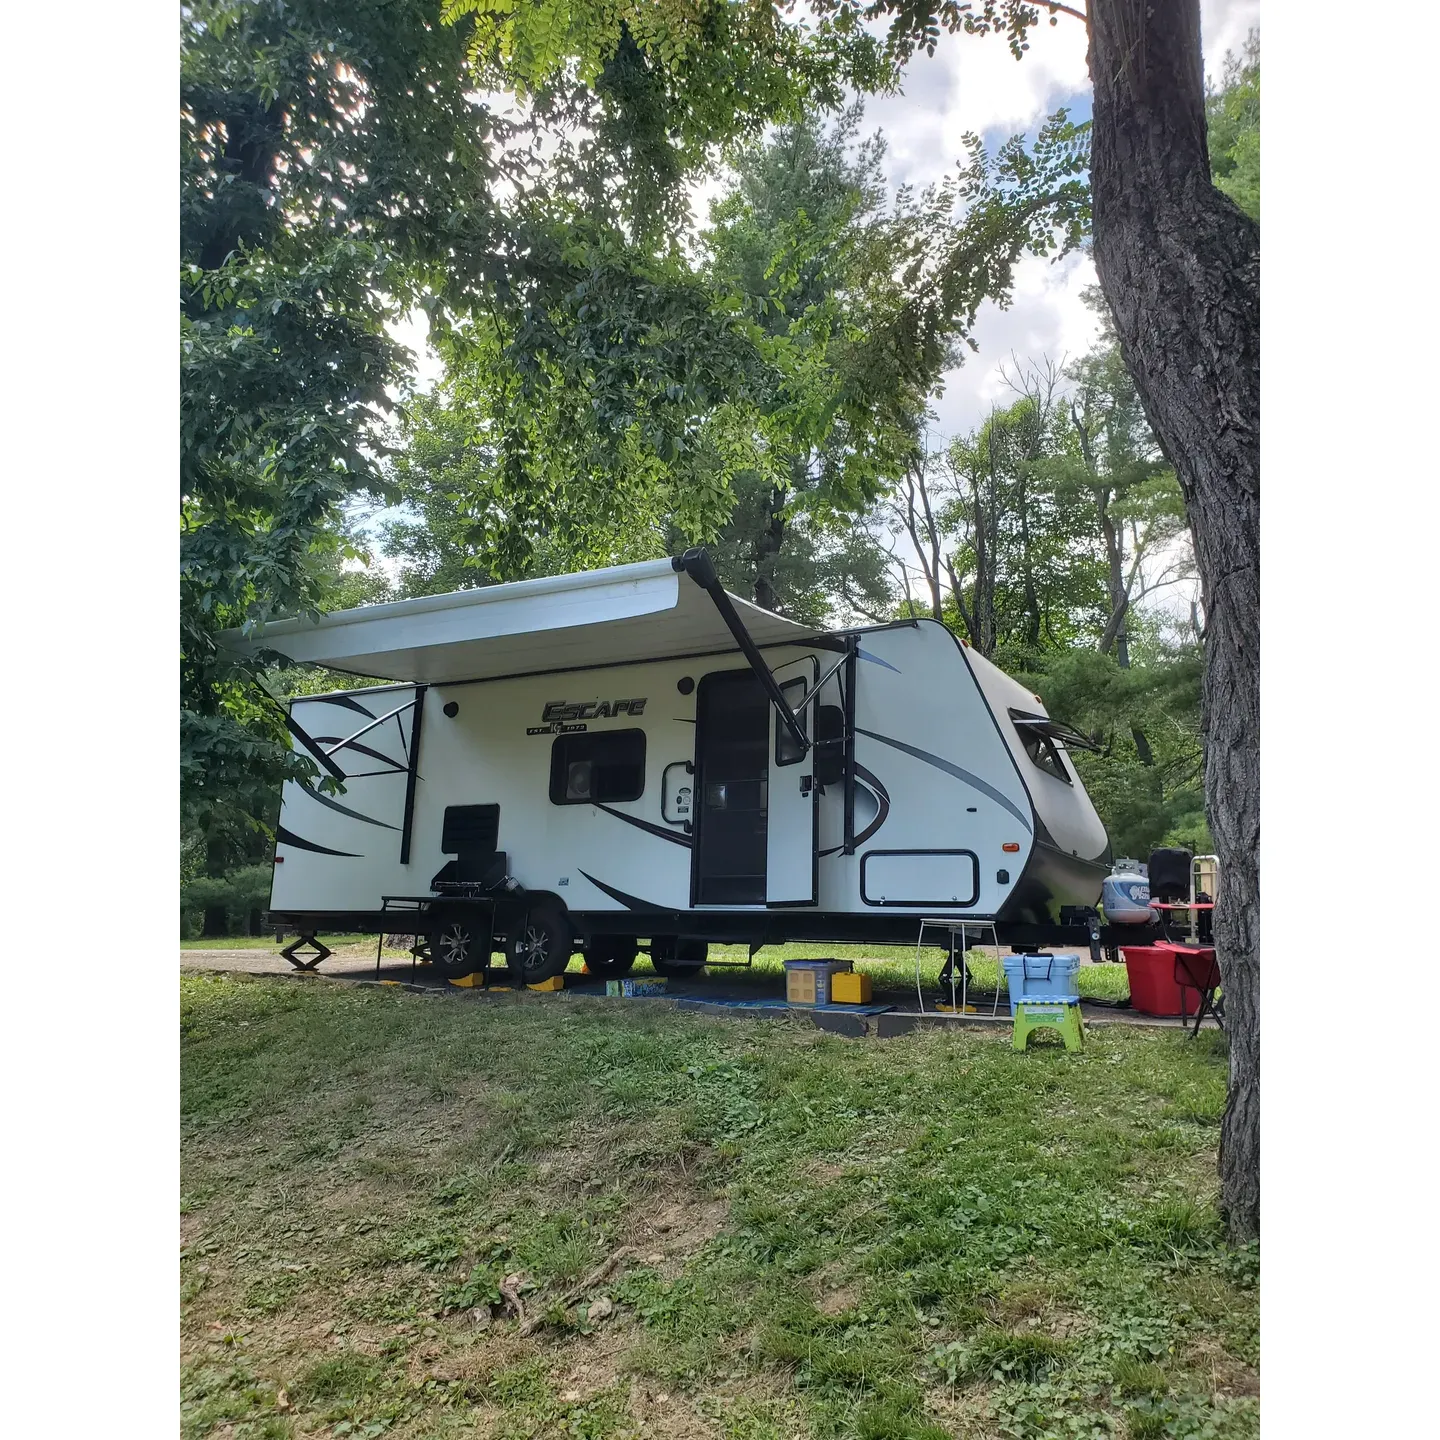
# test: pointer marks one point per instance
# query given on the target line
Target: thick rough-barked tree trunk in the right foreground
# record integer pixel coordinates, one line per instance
(1180, 266)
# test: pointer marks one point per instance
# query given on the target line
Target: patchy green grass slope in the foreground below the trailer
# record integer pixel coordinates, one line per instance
(809, 1236)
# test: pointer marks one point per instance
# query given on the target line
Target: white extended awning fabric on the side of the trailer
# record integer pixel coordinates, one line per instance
(621, 616)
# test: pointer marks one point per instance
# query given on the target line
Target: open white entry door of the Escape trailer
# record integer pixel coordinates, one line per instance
(793, 830)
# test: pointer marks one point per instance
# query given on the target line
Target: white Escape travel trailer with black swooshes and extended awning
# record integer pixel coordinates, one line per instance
(636, 760)
